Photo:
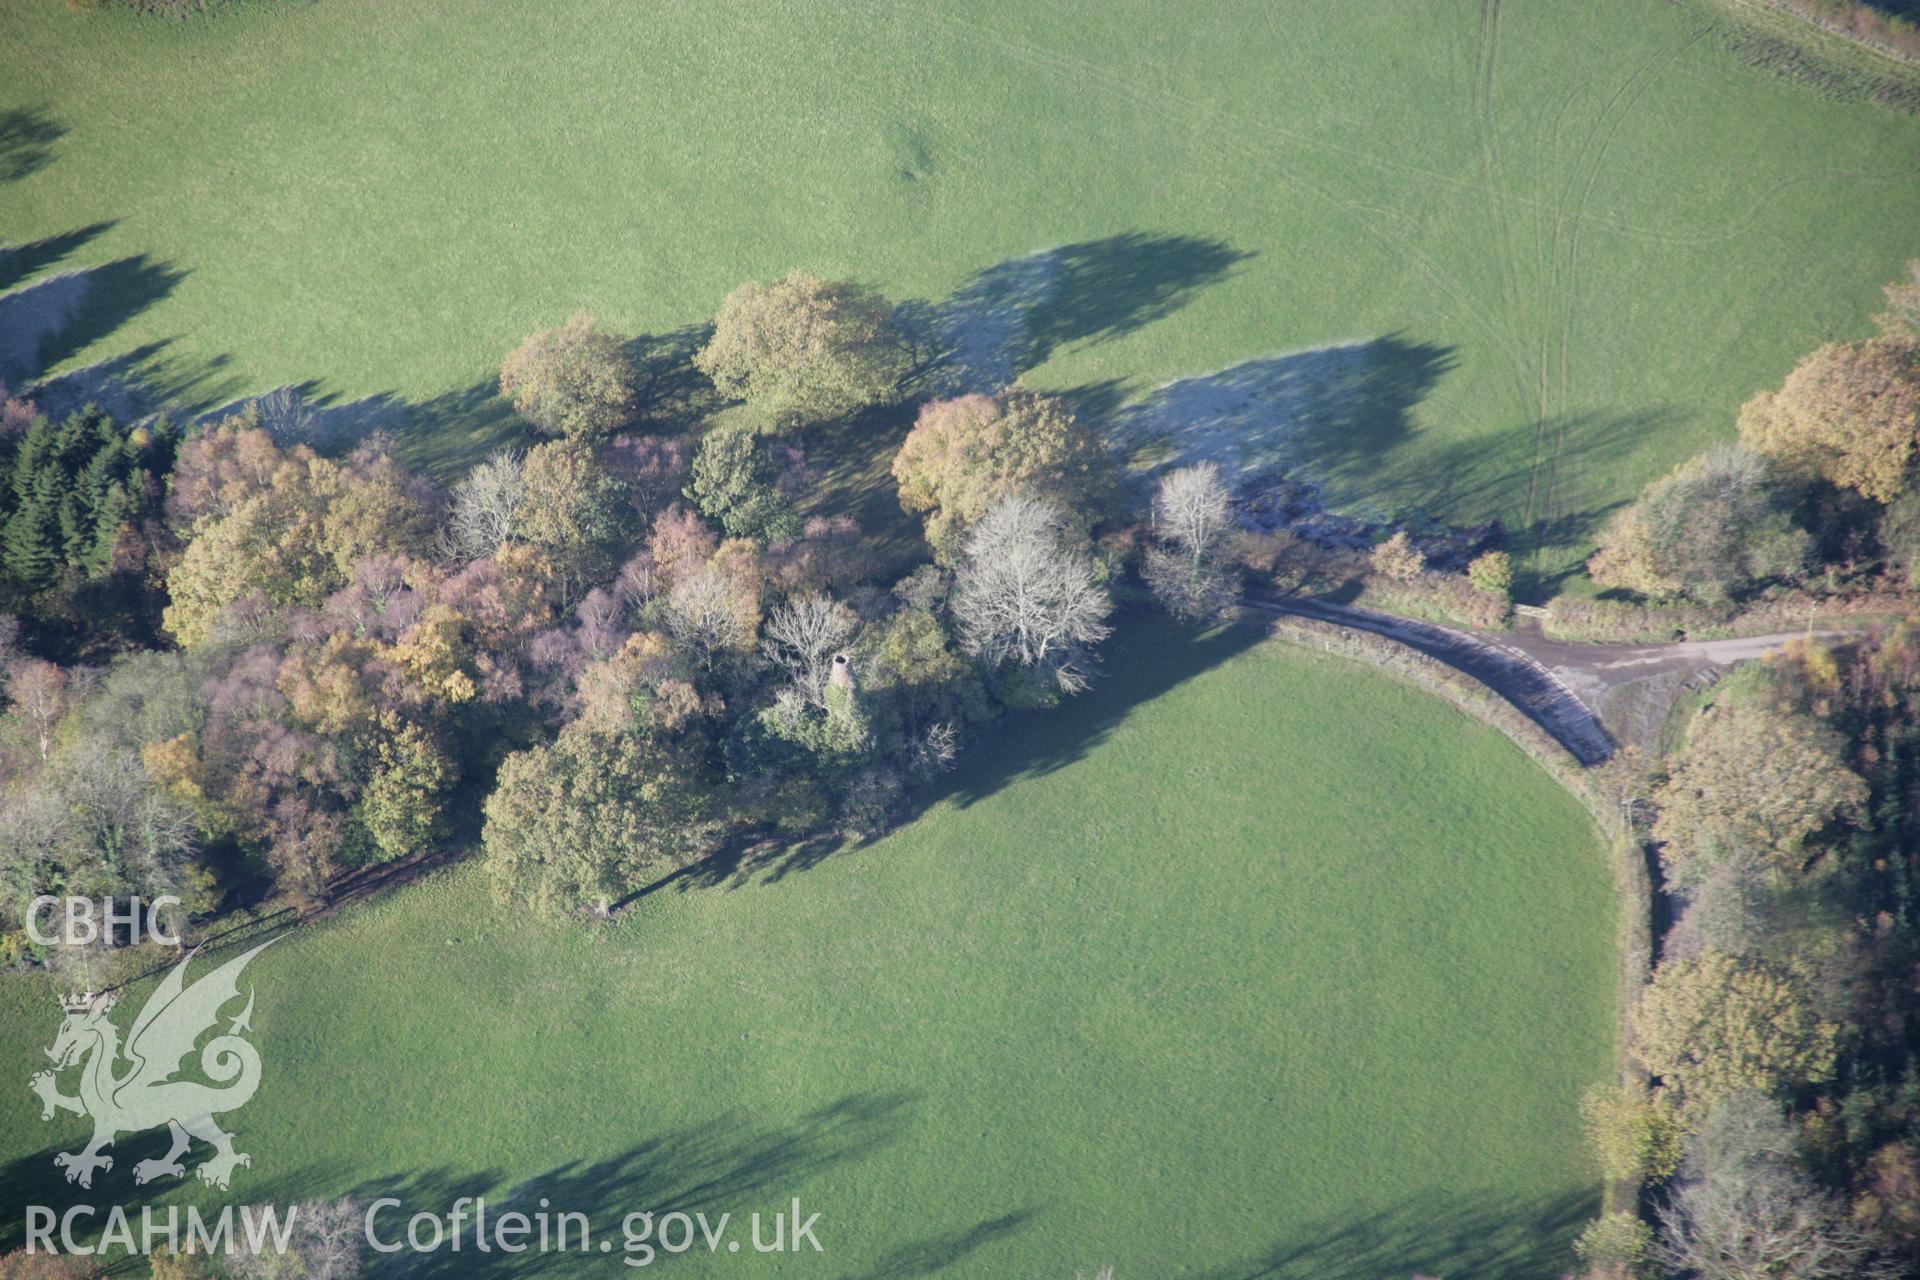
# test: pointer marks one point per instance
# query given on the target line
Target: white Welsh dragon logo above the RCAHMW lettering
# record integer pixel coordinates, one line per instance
(147, 1097)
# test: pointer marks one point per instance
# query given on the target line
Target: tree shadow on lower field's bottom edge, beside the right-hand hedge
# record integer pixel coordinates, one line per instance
(1512, 1239)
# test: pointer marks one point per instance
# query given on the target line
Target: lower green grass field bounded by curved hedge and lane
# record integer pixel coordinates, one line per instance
(1249, 962)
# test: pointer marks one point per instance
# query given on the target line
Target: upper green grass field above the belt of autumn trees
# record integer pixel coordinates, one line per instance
(1575, 237)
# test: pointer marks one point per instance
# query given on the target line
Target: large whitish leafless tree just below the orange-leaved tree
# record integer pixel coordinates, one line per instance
(1030, 598)
